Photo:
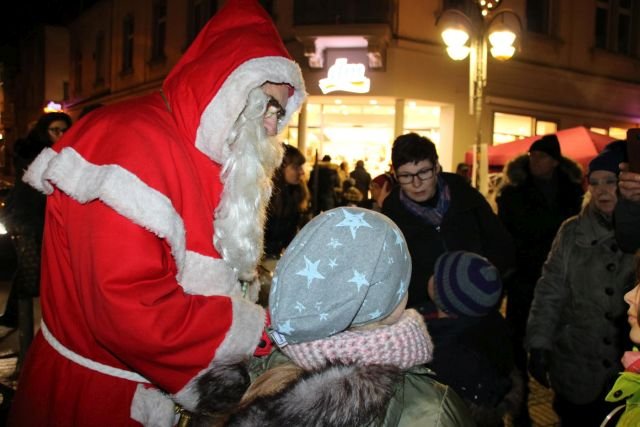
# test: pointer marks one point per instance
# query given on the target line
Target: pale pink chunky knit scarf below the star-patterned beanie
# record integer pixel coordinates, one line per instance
(404, 344)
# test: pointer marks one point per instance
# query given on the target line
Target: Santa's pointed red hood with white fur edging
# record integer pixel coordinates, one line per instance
(238, 50)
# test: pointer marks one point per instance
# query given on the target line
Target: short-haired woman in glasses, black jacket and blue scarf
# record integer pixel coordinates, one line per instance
(437, 212)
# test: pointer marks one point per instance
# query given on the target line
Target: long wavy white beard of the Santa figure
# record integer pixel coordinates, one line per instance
(251, 157)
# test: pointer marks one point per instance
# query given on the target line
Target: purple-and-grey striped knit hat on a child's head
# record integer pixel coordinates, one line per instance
(466, 284)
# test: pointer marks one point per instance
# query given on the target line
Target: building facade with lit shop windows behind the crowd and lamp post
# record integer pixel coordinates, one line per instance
(578, 64)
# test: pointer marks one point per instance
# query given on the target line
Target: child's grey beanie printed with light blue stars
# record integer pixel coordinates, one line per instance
(347, 267)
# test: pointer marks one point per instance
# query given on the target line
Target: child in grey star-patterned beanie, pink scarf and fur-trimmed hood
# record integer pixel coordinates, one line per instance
(349, 353)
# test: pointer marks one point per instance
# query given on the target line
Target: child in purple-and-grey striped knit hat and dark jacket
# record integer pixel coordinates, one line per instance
(471, 342)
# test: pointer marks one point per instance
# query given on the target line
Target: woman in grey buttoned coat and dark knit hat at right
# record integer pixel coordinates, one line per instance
(576, 327)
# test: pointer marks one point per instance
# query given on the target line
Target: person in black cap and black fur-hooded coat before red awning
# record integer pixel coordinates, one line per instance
(539, 191)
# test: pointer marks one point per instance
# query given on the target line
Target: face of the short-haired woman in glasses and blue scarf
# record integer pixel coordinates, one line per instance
(418, 180)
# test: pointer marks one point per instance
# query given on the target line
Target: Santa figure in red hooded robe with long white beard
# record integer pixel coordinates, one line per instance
(154, 229)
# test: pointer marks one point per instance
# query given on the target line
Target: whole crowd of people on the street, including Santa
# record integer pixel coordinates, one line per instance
(144, 225)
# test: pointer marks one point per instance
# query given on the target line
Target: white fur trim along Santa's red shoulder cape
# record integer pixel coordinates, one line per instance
(145, 206)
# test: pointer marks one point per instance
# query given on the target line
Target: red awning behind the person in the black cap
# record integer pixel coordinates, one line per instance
(579, 144)
